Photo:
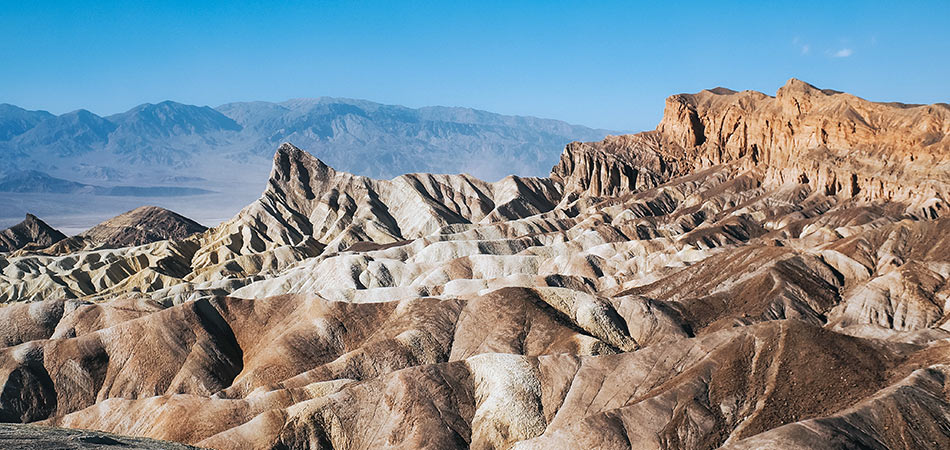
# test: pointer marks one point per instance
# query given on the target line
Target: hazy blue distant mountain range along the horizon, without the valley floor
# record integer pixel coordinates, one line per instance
(356, 135)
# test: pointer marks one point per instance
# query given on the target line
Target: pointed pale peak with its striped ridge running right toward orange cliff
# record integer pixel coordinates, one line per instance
(309, 204)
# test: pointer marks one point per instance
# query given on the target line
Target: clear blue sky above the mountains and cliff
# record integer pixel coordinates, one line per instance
(598, 63)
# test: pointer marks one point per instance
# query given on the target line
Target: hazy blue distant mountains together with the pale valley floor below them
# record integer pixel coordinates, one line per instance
(170, 149)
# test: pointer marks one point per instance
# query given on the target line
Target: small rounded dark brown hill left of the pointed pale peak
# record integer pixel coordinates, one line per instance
(142, 226)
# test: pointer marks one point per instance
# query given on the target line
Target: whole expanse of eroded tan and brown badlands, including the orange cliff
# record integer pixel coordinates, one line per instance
(757, 272)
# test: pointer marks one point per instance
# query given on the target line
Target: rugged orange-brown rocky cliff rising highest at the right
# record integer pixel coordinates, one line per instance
(834, 142)
